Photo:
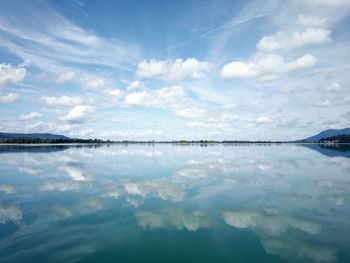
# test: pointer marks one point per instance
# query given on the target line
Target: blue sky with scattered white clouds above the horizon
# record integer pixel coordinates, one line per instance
(171, 70)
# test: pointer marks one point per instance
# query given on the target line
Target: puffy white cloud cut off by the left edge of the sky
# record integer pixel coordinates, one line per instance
(11, 75)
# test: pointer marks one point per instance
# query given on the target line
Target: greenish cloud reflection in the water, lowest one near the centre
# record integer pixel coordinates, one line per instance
(173, 218)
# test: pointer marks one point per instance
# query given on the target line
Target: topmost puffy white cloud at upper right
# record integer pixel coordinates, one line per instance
(285, 40)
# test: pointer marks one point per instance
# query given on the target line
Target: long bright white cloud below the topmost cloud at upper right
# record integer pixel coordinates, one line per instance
(266, 67)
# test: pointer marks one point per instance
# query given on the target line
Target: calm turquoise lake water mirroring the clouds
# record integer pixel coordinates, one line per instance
(174, 203)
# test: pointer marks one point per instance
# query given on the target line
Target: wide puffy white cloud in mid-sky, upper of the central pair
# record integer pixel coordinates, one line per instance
(173, 70)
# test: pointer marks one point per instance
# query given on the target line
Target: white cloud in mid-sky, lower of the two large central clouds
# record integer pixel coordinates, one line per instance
(162, 97)
